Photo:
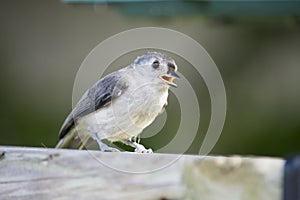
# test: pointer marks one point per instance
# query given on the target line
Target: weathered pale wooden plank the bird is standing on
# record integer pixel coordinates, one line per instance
(35, 173)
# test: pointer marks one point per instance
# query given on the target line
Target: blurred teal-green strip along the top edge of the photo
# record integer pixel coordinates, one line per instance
(206, 7)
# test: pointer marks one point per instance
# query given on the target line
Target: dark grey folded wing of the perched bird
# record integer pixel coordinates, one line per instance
(99, 95)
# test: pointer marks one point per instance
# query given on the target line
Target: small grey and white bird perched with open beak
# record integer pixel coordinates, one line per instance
(119, 106)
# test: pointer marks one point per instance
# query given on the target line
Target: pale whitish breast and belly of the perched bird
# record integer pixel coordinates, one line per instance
(126, 117)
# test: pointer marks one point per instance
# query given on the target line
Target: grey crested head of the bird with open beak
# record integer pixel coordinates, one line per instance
(156, 67)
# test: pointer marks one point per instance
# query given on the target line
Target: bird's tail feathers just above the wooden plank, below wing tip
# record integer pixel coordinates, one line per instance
(74, 140)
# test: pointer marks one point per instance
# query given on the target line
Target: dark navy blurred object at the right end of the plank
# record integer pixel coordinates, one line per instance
(292, 179)
